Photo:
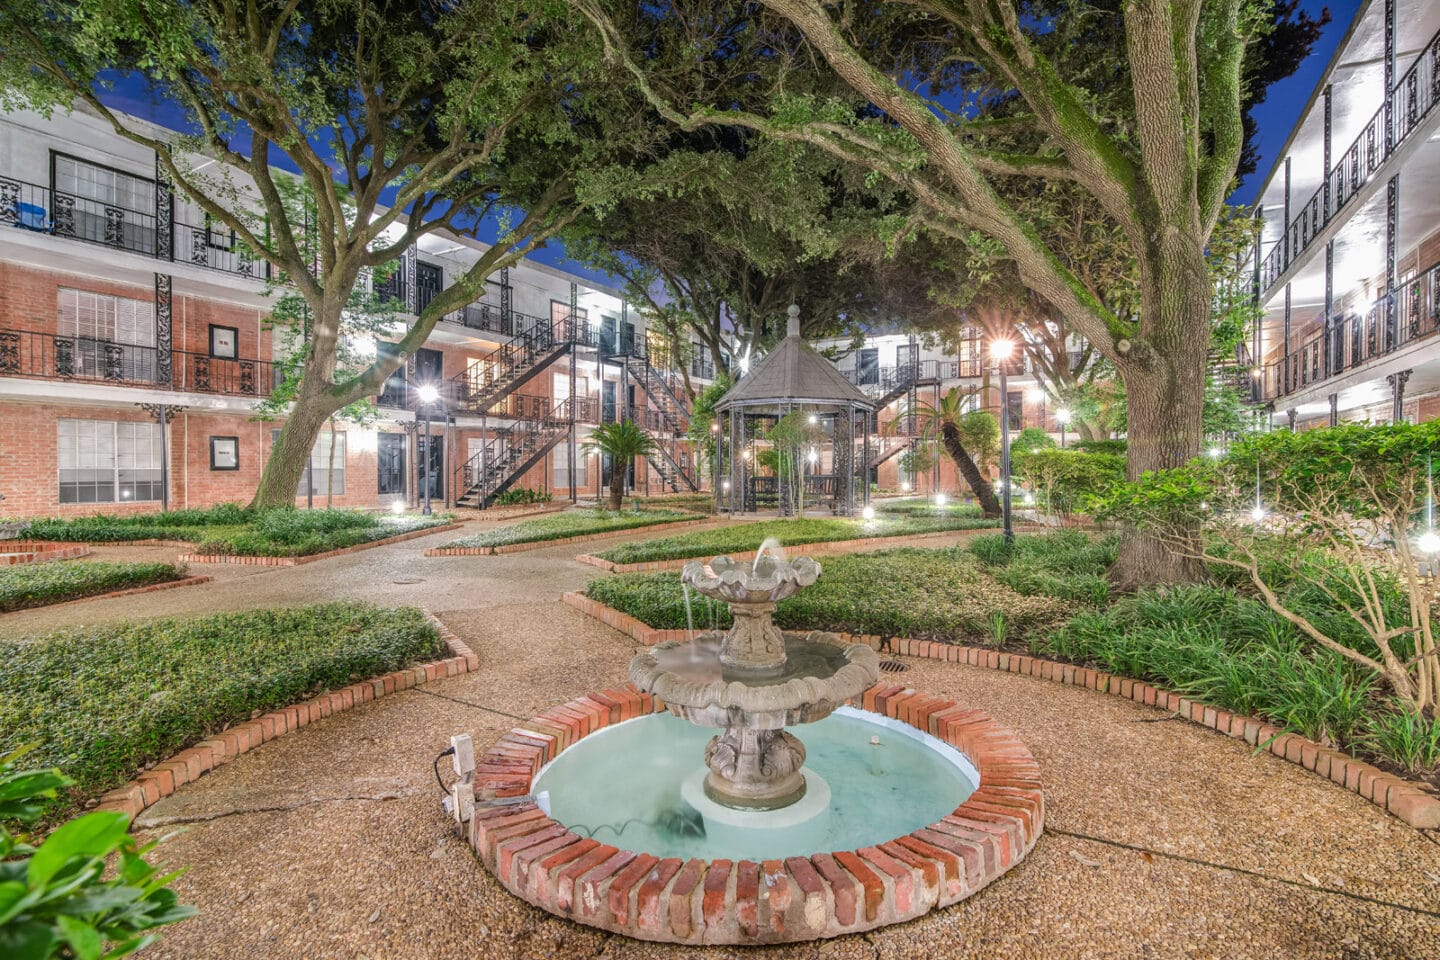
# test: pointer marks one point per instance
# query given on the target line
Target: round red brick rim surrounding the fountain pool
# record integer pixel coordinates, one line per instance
(752, 903)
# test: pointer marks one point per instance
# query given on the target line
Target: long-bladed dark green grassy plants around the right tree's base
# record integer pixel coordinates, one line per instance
(1223, 644)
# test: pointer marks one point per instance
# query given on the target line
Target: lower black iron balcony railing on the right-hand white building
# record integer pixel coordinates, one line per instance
(1409, 314)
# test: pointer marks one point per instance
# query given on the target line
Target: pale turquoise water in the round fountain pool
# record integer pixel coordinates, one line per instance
(637, 787)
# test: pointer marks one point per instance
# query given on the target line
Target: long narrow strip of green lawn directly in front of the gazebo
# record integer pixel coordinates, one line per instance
(791, 533)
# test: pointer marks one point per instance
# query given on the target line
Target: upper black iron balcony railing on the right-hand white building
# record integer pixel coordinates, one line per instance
(1409, 106)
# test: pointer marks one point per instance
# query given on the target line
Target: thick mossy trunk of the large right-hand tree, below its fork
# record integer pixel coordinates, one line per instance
(1166, 391)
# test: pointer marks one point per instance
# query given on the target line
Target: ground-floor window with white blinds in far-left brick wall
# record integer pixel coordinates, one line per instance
(109, 463)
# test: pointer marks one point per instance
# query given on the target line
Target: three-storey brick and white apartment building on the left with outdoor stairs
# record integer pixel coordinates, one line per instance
(135, 349)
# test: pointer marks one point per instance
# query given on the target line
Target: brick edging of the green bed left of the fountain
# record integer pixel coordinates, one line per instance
(195, 762)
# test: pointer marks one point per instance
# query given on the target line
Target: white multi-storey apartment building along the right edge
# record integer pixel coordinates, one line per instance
(1349, 268)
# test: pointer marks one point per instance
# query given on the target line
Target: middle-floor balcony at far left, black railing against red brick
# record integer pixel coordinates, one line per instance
(89, 361)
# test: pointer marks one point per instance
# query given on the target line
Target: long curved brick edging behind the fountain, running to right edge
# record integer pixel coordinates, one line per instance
(1406, 800)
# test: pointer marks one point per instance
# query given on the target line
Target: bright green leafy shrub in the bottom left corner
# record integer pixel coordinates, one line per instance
(58, 899)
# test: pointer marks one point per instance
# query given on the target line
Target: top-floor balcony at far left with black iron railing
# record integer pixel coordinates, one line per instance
(30, 207)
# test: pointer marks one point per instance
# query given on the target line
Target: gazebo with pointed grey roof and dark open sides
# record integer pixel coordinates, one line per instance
(793, 378)
